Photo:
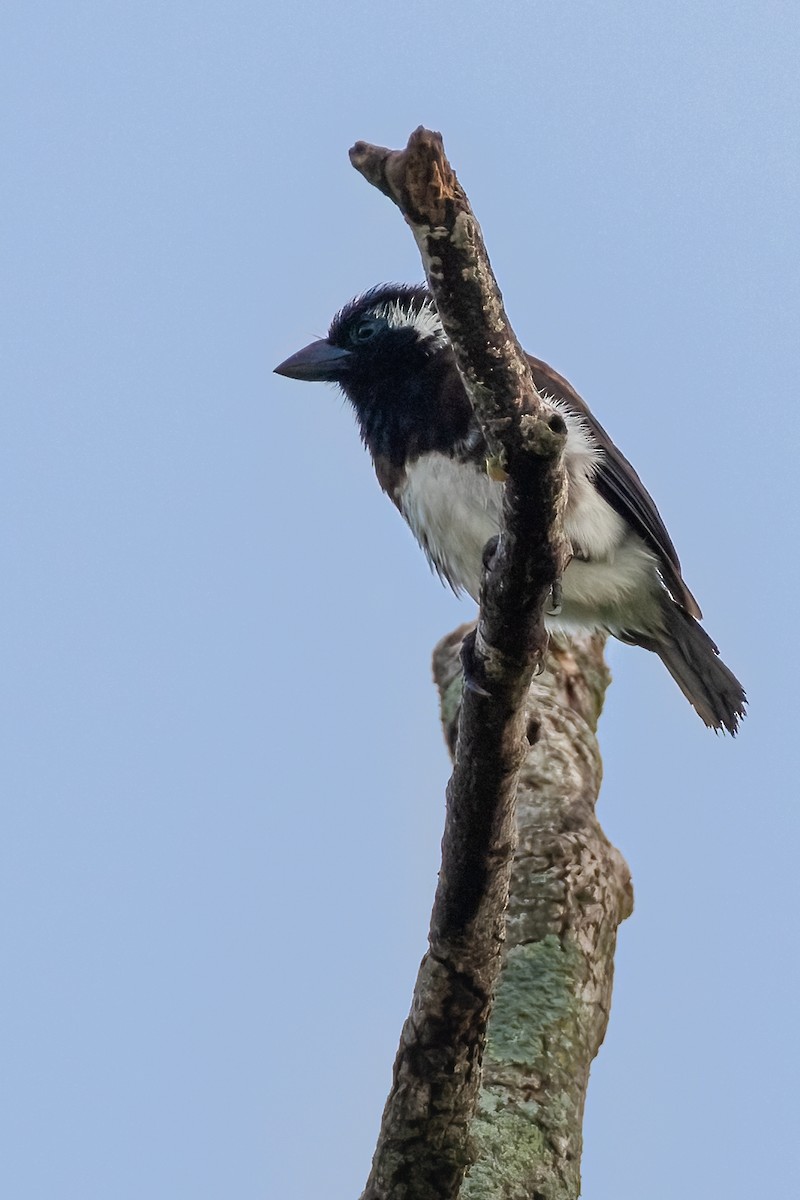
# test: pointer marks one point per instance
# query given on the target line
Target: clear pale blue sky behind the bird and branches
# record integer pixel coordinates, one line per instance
(222, 772)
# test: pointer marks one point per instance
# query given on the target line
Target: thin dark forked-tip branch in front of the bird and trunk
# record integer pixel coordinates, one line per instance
(425, 1148)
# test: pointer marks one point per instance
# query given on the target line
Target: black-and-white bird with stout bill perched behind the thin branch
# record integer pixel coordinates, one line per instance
(389, 353)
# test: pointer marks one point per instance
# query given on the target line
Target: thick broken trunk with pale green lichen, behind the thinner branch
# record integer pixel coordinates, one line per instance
(570, 890)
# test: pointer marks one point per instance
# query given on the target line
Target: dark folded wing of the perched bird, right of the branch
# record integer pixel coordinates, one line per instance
(622, 488)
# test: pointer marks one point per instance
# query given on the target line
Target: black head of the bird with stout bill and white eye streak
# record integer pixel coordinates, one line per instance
(390, 356)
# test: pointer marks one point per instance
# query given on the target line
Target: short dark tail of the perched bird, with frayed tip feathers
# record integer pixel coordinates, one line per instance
(694, 662)
